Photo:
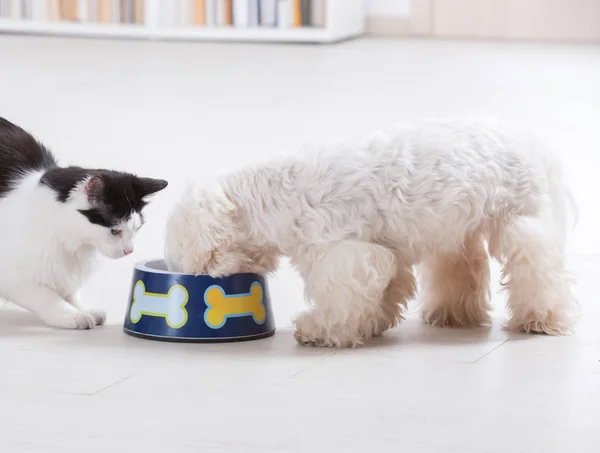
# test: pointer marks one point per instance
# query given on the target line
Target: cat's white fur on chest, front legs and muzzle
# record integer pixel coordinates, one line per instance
(48, 250)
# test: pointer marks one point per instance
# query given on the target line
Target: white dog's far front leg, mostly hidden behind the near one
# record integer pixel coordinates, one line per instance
(400, 291)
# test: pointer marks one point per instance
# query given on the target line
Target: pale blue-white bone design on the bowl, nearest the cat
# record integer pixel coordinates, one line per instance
(170, 306)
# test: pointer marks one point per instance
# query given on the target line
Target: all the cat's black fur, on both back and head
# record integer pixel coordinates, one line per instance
(113, 195)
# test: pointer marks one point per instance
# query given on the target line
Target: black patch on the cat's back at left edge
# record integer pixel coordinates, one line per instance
(20, 154)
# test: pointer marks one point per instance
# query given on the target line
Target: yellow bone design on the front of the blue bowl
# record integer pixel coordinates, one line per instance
(221, 306)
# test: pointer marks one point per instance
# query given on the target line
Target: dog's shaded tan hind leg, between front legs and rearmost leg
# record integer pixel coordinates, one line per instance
(456, 288)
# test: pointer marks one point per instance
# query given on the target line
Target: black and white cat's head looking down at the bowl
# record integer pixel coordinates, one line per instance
(106, 205)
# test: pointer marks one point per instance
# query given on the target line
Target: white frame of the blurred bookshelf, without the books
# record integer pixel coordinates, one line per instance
(344, 19)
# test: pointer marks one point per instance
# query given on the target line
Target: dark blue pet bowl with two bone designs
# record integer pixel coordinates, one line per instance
(169, 306)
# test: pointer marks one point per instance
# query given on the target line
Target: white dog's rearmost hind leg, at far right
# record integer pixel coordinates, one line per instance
(539, 294)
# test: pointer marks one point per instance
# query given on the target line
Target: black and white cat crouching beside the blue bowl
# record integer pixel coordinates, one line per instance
(54, 220)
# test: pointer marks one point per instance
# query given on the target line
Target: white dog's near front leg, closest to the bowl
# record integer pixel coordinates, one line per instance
(345, 282)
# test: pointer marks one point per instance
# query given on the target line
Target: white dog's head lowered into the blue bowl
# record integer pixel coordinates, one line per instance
(201, 235)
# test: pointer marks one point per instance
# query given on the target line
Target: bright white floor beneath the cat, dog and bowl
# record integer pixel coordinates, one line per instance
(176, 110)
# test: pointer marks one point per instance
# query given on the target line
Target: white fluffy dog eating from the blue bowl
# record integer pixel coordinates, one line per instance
(357, 217)
